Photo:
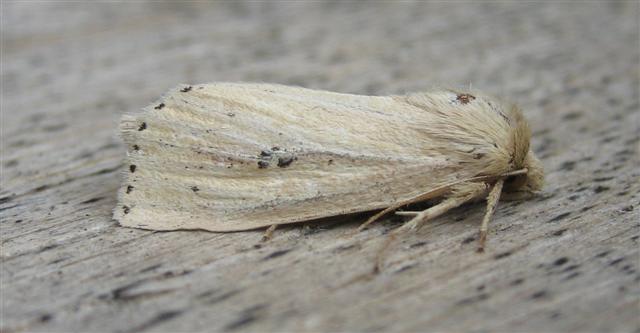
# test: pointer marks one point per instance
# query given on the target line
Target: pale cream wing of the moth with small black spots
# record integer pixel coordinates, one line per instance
(230, 157)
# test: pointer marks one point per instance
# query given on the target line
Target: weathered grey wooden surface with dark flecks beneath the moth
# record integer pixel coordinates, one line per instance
(567, 261)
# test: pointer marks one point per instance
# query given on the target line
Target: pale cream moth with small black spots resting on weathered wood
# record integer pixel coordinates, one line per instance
(235, 156)
